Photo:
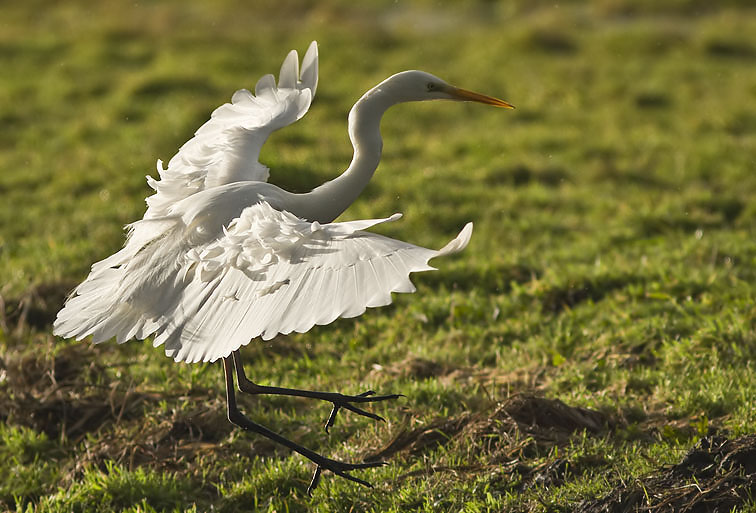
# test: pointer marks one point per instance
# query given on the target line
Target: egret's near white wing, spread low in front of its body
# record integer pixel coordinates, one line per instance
(274, 273)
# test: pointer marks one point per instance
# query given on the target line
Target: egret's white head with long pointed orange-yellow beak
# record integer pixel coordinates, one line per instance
(409, 86)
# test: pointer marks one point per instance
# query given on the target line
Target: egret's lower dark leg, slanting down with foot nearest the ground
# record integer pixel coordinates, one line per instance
(339, 468)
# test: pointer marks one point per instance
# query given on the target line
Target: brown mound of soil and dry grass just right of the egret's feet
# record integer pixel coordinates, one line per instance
(522, 428)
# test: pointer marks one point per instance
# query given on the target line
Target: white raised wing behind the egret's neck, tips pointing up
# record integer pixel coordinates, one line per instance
(227, 147)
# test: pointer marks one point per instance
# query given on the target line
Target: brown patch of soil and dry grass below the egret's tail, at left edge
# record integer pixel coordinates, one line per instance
(64, 392)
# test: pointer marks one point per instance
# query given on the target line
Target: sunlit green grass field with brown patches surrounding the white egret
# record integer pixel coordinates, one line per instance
(592, 348)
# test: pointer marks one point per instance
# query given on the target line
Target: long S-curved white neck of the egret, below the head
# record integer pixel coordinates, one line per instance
(326, 202)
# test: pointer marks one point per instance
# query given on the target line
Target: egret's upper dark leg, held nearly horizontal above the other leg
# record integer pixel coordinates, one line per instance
(338, 400)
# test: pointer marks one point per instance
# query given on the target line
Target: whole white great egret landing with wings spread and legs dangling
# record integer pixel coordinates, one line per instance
(222, 257)
